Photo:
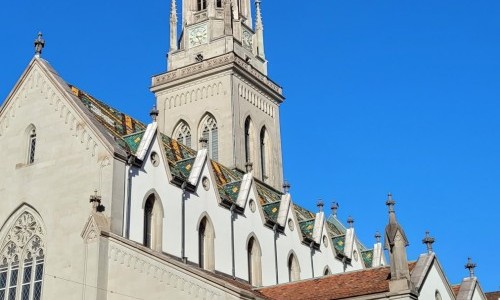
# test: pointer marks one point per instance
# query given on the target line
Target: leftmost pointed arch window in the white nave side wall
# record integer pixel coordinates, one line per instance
(153, 223)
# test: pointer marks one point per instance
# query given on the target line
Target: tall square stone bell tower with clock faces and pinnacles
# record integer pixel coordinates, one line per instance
(216, 92)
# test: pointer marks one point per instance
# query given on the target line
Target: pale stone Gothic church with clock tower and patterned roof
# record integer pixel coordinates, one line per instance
(97, 205)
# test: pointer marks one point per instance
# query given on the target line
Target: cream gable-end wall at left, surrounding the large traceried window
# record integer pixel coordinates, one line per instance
(66, 172)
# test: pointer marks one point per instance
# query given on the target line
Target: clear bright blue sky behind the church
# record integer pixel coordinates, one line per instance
(382, 96)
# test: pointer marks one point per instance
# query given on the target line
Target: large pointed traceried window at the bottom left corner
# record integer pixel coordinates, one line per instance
(22, 260)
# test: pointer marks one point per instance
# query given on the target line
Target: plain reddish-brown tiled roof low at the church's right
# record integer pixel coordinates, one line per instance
(332, 287)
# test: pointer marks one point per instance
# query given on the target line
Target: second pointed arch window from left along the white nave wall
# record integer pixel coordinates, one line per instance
(206, 237)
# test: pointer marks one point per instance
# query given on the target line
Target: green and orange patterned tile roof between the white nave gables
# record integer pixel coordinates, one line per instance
(128, 132)
